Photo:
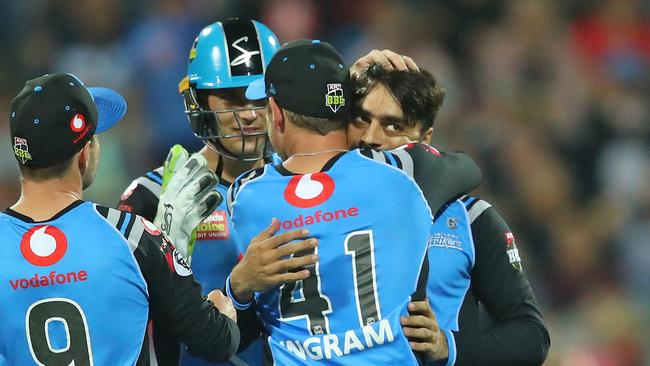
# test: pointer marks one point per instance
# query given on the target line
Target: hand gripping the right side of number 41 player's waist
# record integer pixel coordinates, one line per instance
(421, 328)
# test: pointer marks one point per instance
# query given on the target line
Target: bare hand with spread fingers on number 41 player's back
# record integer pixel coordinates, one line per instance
(269, 261)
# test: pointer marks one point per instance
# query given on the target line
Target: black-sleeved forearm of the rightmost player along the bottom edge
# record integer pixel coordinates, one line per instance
(518, 342)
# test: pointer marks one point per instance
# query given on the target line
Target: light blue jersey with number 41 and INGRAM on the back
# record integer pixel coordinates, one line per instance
(373, 224)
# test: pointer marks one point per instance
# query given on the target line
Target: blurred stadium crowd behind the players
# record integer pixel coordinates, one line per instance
(552, 98)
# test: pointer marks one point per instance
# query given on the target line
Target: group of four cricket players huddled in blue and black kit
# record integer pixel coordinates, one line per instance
(316, 226)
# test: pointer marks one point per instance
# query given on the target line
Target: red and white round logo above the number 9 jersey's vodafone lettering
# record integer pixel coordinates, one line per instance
(43, 245)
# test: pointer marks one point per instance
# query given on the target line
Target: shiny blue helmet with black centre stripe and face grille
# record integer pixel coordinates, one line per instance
(225, 55)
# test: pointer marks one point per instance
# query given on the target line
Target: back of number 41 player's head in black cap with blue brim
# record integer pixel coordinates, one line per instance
(308, 79)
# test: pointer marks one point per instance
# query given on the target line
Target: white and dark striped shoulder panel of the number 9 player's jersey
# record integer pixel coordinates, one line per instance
(130, 226)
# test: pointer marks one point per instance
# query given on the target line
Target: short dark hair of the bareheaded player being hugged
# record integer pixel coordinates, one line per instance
(418, 93)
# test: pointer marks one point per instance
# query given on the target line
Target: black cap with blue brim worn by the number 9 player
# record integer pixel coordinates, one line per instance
(54, 115)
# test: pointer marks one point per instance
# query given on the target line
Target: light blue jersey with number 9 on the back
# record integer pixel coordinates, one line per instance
(71, 290)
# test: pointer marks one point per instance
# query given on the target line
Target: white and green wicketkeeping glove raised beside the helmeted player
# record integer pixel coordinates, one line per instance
(188, 197)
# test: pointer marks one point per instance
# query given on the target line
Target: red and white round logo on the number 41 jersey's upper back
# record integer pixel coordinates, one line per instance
(309, 190)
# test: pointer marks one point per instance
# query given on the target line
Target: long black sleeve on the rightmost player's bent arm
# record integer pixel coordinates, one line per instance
(517, 334)
